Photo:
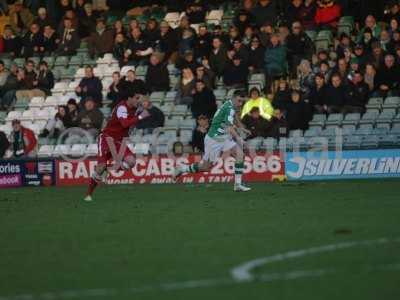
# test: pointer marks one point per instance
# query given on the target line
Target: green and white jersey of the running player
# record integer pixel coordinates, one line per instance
(223, 119)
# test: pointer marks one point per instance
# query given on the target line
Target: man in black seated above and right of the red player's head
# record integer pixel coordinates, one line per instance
(157, 76)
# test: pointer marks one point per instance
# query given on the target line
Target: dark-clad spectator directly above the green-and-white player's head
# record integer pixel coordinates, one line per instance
(235, 74)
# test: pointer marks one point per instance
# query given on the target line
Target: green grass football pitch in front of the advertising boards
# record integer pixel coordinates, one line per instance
(181, 242)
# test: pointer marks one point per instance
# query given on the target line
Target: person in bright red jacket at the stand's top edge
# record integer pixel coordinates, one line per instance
(328, 13)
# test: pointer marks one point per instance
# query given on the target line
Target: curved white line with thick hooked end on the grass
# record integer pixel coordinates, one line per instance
(242, 273)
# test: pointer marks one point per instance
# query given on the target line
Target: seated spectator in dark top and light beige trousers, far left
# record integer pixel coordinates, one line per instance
(29, 83)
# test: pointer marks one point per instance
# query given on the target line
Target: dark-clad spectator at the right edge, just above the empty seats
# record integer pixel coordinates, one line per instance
(387, 77)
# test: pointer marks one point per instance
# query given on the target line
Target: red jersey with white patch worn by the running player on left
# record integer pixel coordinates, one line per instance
(122, 119)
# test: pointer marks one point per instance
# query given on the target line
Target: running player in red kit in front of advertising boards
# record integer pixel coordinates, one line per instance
(112, 142)
